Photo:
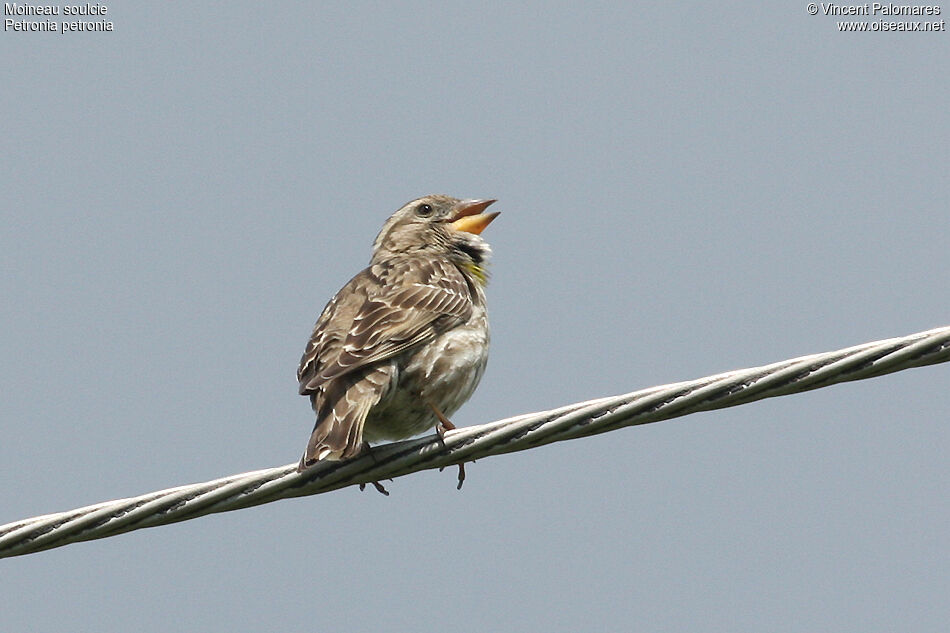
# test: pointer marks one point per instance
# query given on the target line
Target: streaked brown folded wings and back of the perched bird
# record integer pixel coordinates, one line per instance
(386, 309)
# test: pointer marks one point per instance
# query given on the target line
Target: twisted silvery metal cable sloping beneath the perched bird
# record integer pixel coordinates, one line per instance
(504, 436)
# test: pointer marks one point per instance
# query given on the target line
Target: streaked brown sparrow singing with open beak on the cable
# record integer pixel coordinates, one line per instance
(405, 342)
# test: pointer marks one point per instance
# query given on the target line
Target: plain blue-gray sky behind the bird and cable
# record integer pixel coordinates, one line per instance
(684, 190)
